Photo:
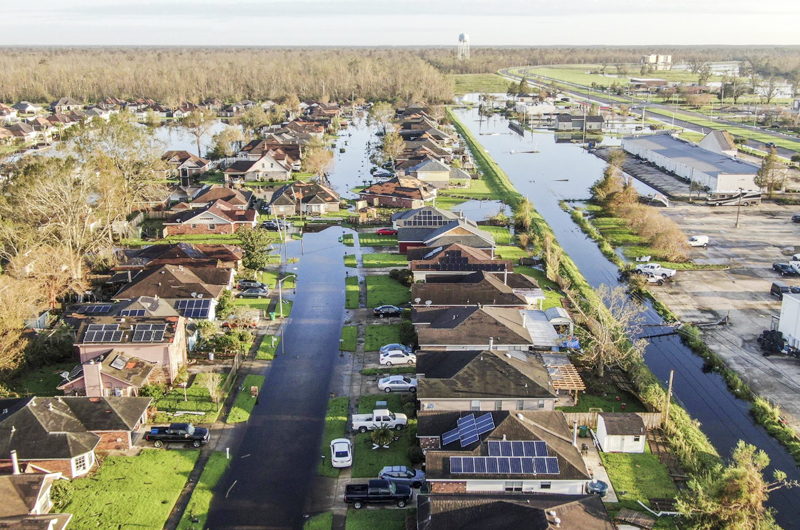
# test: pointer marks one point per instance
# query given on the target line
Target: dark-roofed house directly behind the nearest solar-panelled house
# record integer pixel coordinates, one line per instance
(483, 380)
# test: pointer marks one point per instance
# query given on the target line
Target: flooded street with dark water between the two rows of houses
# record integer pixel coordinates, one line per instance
(274, 460)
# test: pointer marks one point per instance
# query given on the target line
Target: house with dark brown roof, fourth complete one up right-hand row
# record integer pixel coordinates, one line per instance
(477, 288)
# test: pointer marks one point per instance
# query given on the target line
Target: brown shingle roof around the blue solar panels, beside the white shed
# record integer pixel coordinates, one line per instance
(547, 426)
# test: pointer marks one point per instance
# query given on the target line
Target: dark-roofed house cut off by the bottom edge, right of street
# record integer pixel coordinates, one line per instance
(511, 510)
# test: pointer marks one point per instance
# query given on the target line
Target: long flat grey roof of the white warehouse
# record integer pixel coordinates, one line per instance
(713, 164)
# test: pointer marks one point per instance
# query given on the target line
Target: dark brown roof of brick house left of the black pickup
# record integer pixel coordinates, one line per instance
(61, 428)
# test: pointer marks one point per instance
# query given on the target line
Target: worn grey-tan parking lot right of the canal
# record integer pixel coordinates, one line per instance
(765, 235)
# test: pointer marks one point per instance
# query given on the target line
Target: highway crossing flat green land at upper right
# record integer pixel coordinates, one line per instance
(636, 105)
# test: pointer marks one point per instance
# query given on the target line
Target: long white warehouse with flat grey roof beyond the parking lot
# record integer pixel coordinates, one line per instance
(716, 171)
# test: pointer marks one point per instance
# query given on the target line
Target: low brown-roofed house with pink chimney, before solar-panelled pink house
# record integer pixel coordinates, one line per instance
(110, 374)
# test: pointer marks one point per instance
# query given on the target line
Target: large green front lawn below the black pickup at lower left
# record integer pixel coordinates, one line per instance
(131, 491)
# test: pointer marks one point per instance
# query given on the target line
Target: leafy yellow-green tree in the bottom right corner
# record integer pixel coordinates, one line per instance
(732, 496)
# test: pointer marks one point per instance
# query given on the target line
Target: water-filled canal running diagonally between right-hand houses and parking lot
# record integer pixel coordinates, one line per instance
(558, 171)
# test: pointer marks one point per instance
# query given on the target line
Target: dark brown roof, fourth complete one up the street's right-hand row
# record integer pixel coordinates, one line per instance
(477, 288)
